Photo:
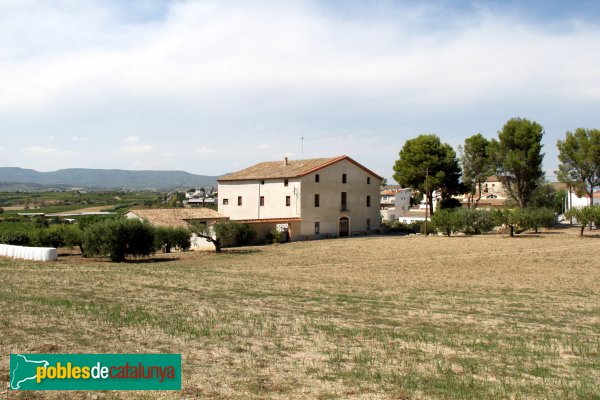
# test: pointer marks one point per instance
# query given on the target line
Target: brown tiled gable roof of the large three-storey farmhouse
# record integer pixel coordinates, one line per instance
(293, 169)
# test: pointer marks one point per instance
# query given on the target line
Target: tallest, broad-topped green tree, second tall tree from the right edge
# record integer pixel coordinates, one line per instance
(518, 158)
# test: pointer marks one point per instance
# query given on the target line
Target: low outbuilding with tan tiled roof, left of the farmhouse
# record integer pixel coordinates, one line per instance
(180, 218)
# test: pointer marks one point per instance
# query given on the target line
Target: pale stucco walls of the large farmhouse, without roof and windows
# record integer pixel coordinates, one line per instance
(301, 192)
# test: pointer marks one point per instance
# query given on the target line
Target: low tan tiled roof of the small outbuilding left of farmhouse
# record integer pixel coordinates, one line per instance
(176, 217)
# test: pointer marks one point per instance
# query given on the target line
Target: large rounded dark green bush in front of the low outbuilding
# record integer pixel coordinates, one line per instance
(119, 238)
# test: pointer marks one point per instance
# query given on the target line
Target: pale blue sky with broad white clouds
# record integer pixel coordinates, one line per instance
(211, 87)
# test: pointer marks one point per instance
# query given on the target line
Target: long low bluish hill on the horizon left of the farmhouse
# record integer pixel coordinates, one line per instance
(23, 179)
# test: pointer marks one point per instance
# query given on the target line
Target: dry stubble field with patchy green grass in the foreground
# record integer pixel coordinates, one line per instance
(365, 318)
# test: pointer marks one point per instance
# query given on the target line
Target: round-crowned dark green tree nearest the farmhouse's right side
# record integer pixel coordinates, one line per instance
(426, 164)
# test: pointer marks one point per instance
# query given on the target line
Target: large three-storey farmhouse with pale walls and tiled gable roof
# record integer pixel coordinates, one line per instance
(303, 199)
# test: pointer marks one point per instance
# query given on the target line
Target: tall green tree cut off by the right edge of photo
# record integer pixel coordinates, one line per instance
(579, 156)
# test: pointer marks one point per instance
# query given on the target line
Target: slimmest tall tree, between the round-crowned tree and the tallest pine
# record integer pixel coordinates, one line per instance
(477, 164)
